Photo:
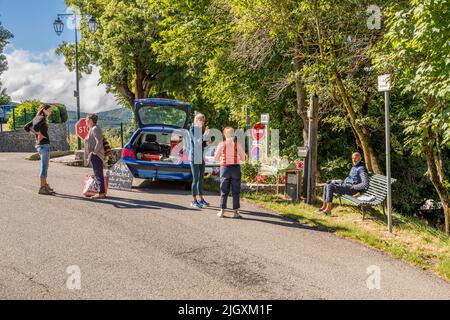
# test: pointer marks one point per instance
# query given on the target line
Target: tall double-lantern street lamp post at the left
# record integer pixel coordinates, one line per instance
(58, 25)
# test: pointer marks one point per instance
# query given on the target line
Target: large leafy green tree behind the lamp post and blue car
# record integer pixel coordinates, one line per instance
(122, 49)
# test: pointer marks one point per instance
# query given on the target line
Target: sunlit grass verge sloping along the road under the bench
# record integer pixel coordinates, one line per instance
(412, 240)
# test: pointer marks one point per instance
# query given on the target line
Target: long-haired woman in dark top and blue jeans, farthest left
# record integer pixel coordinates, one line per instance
(40, 128)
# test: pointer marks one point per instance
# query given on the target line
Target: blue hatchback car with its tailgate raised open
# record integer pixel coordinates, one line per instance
(159, 147)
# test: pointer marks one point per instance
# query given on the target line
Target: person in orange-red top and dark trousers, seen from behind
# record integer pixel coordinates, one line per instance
(230, 154)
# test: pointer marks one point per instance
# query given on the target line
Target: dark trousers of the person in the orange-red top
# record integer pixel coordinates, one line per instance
(230, 177)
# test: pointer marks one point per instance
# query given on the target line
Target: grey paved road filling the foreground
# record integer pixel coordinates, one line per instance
(149, 244)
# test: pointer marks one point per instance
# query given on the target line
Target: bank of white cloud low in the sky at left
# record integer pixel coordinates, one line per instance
(43, 76)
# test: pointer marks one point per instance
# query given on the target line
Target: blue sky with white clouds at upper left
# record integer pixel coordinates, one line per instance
(34, 70)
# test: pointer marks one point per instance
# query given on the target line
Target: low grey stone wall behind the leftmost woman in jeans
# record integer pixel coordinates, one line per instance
(22, 141)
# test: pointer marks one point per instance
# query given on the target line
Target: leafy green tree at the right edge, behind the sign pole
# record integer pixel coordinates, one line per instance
(416, 51)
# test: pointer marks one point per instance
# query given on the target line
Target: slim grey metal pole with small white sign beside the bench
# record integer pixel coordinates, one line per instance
(384, 85)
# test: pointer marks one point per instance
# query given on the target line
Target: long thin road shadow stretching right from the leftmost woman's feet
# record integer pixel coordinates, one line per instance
(127, 203)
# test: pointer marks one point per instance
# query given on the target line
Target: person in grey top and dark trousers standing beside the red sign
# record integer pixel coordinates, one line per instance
(94, 153)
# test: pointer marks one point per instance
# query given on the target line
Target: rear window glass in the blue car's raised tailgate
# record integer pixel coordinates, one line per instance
(165, 115)
